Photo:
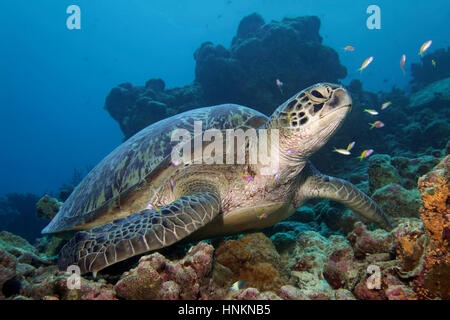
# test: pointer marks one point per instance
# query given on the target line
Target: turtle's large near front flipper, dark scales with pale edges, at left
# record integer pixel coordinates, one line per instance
(138, 233)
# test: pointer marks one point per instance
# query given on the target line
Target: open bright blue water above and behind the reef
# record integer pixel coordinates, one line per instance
(54, 81)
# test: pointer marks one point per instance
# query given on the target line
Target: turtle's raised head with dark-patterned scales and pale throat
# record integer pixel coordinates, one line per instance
(308, 119)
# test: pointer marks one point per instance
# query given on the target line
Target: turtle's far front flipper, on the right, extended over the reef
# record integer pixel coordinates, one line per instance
(317, 185)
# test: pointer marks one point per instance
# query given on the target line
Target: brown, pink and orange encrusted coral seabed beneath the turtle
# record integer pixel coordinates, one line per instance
(412, 260)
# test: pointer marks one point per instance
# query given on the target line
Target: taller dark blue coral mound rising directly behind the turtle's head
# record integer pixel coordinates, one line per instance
(259, 54)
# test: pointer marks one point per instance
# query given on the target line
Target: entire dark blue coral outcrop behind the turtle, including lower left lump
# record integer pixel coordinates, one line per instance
(245, 73)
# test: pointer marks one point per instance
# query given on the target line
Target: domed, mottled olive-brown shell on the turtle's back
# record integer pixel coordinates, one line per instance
(137, 159)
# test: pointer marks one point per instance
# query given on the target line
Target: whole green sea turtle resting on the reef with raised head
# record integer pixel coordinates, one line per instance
(139, 199)
